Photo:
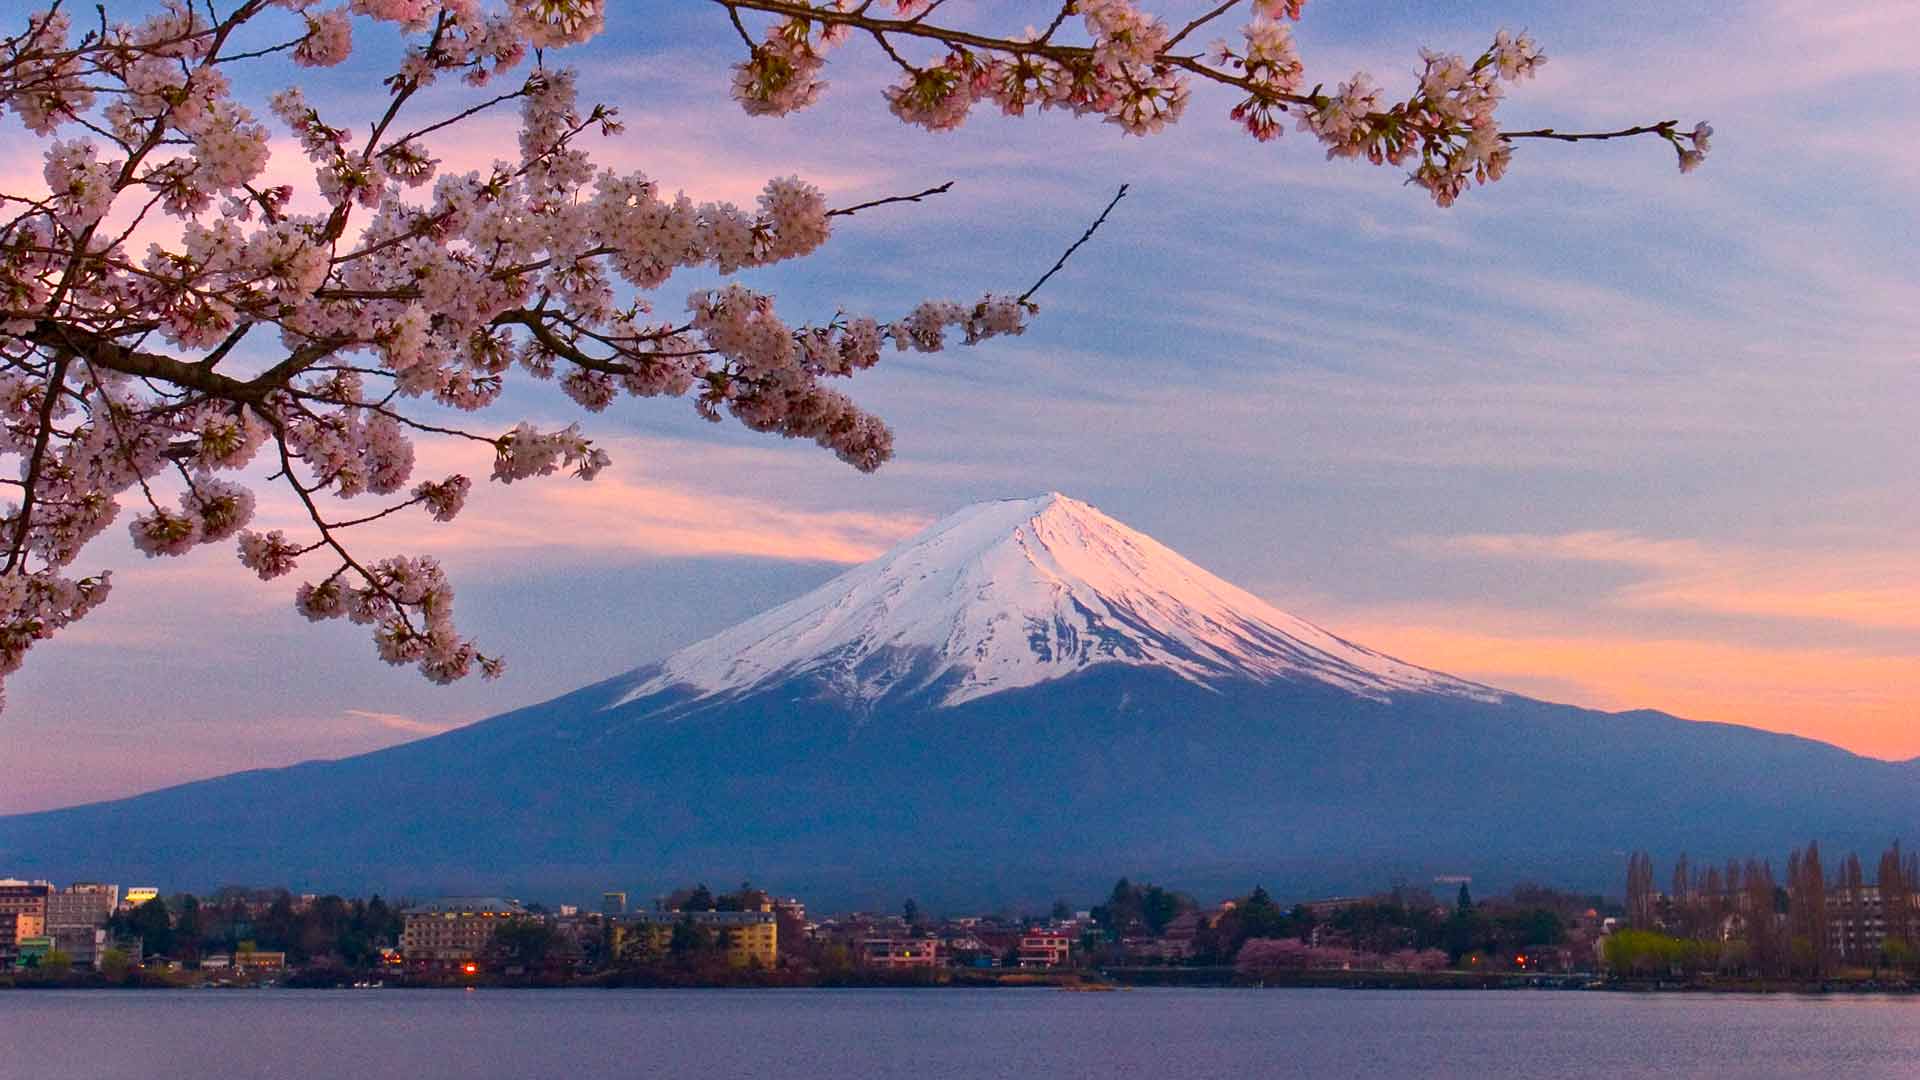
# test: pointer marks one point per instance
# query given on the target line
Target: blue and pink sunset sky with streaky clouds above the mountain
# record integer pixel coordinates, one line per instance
(1600, 433)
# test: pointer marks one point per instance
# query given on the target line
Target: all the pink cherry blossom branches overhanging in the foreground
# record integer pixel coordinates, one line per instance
(170, 318)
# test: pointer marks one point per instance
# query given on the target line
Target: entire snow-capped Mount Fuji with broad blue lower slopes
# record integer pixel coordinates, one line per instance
(1022, 702)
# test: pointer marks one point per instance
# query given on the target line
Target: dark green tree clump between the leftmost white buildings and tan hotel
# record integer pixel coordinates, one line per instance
(325, 931)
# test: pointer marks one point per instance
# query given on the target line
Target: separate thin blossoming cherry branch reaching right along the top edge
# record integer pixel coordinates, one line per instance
(1136, 74)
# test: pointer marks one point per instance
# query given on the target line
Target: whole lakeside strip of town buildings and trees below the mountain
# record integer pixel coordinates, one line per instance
(1729, 929)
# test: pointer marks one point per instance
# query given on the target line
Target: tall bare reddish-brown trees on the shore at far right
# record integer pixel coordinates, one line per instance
(1742, 920)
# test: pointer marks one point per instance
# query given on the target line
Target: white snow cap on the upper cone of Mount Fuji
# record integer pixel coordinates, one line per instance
(1009, 595)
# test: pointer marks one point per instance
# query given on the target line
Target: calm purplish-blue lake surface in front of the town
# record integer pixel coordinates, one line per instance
(807, 1035)
